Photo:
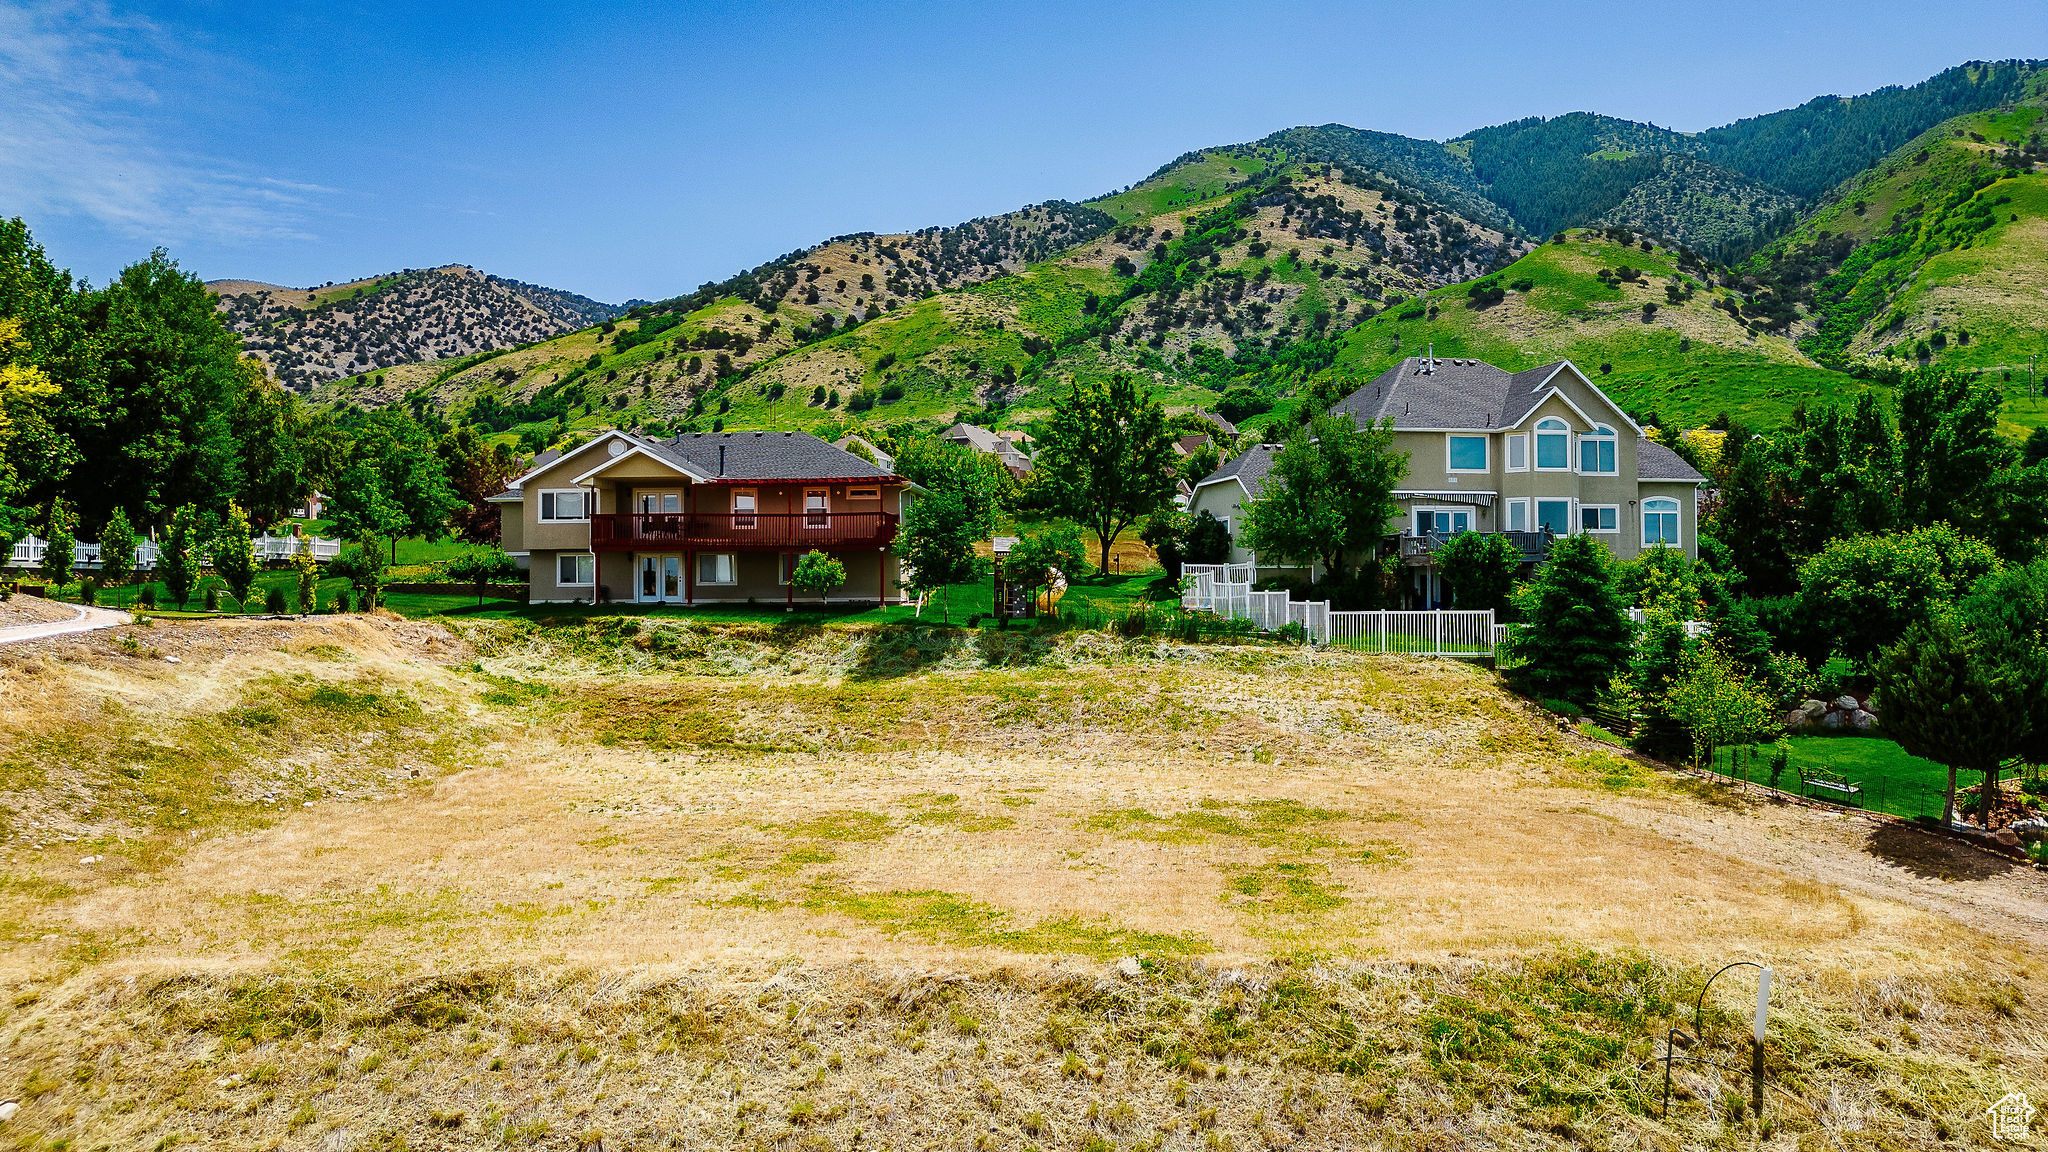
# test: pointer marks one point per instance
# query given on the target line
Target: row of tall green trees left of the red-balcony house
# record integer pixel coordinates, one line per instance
(128, 405)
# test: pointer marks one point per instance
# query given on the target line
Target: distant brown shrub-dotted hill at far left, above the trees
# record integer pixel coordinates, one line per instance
(310, 337)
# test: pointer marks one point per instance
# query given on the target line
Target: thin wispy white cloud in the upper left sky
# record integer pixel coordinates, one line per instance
(81, 134)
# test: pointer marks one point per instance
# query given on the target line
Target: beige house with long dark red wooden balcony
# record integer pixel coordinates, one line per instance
(703, 518)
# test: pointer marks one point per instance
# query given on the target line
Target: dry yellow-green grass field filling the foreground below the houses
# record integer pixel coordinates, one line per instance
(636, 884)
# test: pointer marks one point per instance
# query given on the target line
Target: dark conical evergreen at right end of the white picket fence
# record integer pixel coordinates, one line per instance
(1576, 632)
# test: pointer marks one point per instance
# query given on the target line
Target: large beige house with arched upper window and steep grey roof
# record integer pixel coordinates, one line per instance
(1531, 454)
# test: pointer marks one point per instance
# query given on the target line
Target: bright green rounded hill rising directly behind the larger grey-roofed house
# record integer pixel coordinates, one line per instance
(1689, 362)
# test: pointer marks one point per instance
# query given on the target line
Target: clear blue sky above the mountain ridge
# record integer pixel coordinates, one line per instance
(636, 151)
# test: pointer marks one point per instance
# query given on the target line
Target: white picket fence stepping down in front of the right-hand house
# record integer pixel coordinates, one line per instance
(1226, 589)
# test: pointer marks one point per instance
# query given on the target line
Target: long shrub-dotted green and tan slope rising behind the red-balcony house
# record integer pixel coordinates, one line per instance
(830, 335)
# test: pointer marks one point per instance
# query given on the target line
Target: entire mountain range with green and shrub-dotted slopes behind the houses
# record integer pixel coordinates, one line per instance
(1738, 272)
